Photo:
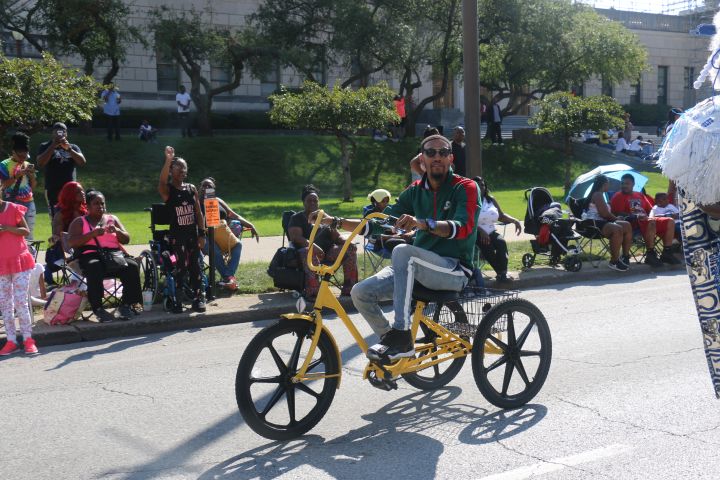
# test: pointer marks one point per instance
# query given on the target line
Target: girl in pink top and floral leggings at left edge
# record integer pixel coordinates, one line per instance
(16, 265)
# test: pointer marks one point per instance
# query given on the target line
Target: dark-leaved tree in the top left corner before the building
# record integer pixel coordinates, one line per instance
(95, 30)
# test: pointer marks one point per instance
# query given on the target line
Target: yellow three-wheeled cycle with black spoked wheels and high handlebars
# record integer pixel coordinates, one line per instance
(298, 360)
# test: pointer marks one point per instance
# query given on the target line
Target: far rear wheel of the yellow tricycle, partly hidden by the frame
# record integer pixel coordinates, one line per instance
(443, 373)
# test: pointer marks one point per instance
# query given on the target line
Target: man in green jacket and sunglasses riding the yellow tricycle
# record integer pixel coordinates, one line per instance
(443, 207)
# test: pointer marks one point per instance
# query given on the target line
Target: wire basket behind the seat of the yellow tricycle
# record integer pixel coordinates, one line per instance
(464, 315)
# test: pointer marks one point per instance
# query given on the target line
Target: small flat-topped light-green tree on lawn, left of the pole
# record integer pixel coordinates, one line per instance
(341, 112)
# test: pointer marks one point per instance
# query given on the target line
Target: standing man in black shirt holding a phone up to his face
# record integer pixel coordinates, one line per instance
(59, 158)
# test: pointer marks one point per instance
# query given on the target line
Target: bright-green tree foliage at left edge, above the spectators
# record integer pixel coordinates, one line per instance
(35, 94)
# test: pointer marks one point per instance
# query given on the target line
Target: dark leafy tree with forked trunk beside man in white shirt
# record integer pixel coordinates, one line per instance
(192, 41)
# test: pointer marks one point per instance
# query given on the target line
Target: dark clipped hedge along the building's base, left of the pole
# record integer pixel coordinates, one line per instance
(166, 118)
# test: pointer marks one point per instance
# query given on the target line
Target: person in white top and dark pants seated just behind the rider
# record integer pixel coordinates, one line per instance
(489, 241)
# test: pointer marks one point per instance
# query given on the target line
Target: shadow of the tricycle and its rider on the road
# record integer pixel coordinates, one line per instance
(417, 427)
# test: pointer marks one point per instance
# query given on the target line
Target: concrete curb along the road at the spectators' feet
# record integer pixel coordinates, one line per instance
(252, 308)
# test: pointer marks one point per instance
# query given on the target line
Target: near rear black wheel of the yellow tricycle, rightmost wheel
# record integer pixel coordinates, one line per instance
(514, 335)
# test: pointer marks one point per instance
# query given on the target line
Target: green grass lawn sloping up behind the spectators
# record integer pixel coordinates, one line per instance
(261, 176)
